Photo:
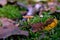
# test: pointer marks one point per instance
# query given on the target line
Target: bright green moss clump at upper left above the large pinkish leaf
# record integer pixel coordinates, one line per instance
(10, 11)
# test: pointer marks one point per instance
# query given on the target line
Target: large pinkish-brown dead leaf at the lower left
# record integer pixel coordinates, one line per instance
(8, 28)
